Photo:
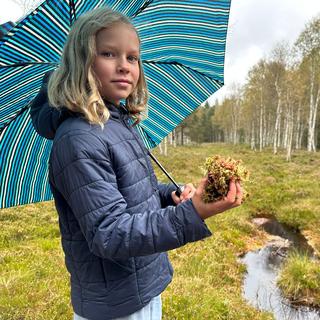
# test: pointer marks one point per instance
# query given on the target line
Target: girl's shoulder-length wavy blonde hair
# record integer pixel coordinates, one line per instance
(76, 88)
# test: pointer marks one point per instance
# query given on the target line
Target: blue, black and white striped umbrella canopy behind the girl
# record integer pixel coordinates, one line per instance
(183, 46)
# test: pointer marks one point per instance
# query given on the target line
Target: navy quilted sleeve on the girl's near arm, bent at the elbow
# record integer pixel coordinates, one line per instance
(84, 176)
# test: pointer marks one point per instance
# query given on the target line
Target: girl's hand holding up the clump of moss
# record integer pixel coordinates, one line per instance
(207, 210)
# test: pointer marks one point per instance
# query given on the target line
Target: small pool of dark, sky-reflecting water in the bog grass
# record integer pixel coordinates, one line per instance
(260, 287)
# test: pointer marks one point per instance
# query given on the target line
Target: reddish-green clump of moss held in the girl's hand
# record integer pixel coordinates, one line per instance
(219, 172)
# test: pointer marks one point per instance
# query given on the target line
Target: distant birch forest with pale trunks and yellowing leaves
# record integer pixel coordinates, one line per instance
(276, 108)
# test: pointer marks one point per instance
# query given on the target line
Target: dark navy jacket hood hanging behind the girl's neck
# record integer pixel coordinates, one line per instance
(45, 118)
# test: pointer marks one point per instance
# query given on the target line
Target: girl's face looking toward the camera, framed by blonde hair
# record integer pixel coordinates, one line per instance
(117, 61)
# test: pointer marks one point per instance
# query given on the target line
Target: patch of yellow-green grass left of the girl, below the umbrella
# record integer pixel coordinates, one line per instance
(33, 281)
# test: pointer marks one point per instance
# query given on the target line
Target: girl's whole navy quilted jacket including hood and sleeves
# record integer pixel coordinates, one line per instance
(116, 220)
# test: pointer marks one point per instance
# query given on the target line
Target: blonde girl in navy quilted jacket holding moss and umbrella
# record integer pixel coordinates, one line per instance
(116, 220)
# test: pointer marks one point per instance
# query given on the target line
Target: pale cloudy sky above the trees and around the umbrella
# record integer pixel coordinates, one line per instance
(255, 27)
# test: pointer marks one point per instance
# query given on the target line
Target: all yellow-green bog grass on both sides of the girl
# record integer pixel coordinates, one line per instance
(34, 283)
